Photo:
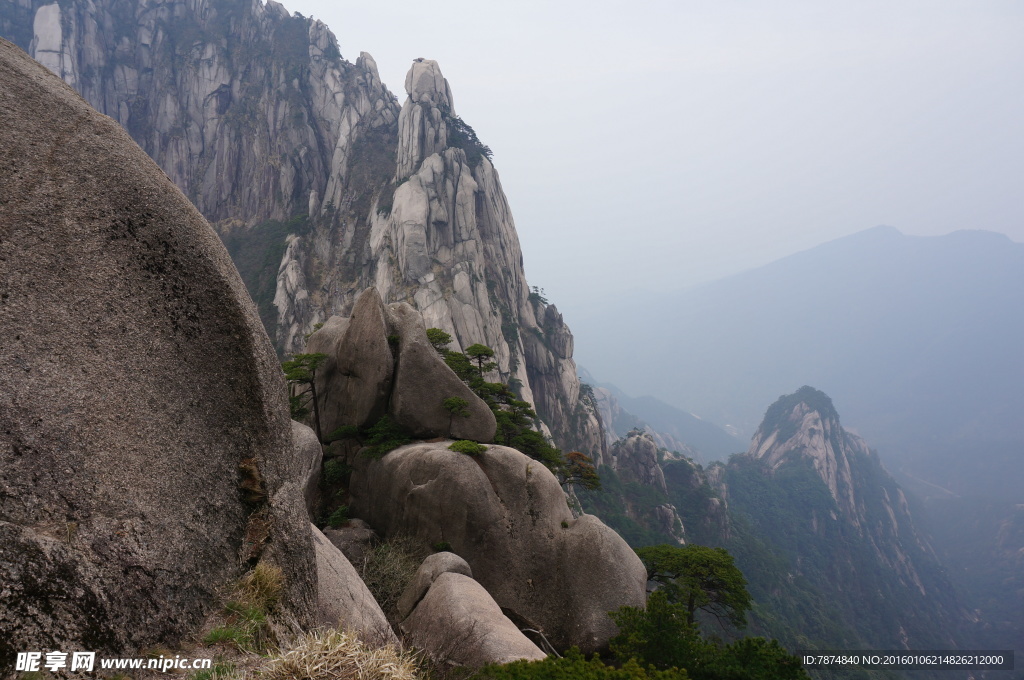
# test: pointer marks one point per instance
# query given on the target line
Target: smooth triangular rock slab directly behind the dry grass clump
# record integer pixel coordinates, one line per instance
(344, 601)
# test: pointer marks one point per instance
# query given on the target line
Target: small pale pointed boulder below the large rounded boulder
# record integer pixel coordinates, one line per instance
(457, 621)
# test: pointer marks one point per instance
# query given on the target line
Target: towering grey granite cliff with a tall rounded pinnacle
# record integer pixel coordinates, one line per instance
(257, 116)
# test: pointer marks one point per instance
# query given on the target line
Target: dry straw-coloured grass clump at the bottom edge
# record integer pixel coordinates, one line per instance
(332, 655)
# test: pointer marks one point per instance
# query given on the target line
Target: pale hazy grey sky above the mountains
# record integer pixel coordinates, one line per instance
(652, 145)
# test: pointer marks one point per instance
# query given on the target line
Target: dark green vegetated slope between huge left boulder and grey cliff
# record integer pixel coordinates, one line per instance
(258, 253)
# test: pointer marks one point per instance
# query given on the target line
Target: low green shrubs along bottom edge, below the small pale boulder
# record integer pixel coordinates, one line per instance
(575, 667)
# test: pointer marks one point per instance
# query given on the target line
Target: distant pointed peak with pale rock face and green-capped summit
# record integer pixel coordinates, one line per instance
(819, 500)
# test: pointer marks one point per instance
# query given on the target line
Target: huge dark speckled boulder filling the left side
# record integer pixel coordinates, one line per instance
(146, 452)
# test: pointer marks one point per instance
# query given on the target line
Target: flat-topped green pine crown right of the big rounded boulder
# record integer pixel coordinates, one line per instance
(700, 578)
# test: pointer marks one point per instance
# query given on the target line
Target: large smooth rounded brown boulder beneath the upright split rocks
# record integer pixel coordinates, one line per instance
(506, 516)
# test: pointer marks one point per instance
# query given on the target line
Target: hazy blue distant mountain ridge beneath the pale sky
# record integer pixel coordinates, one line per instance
(920, 341)
